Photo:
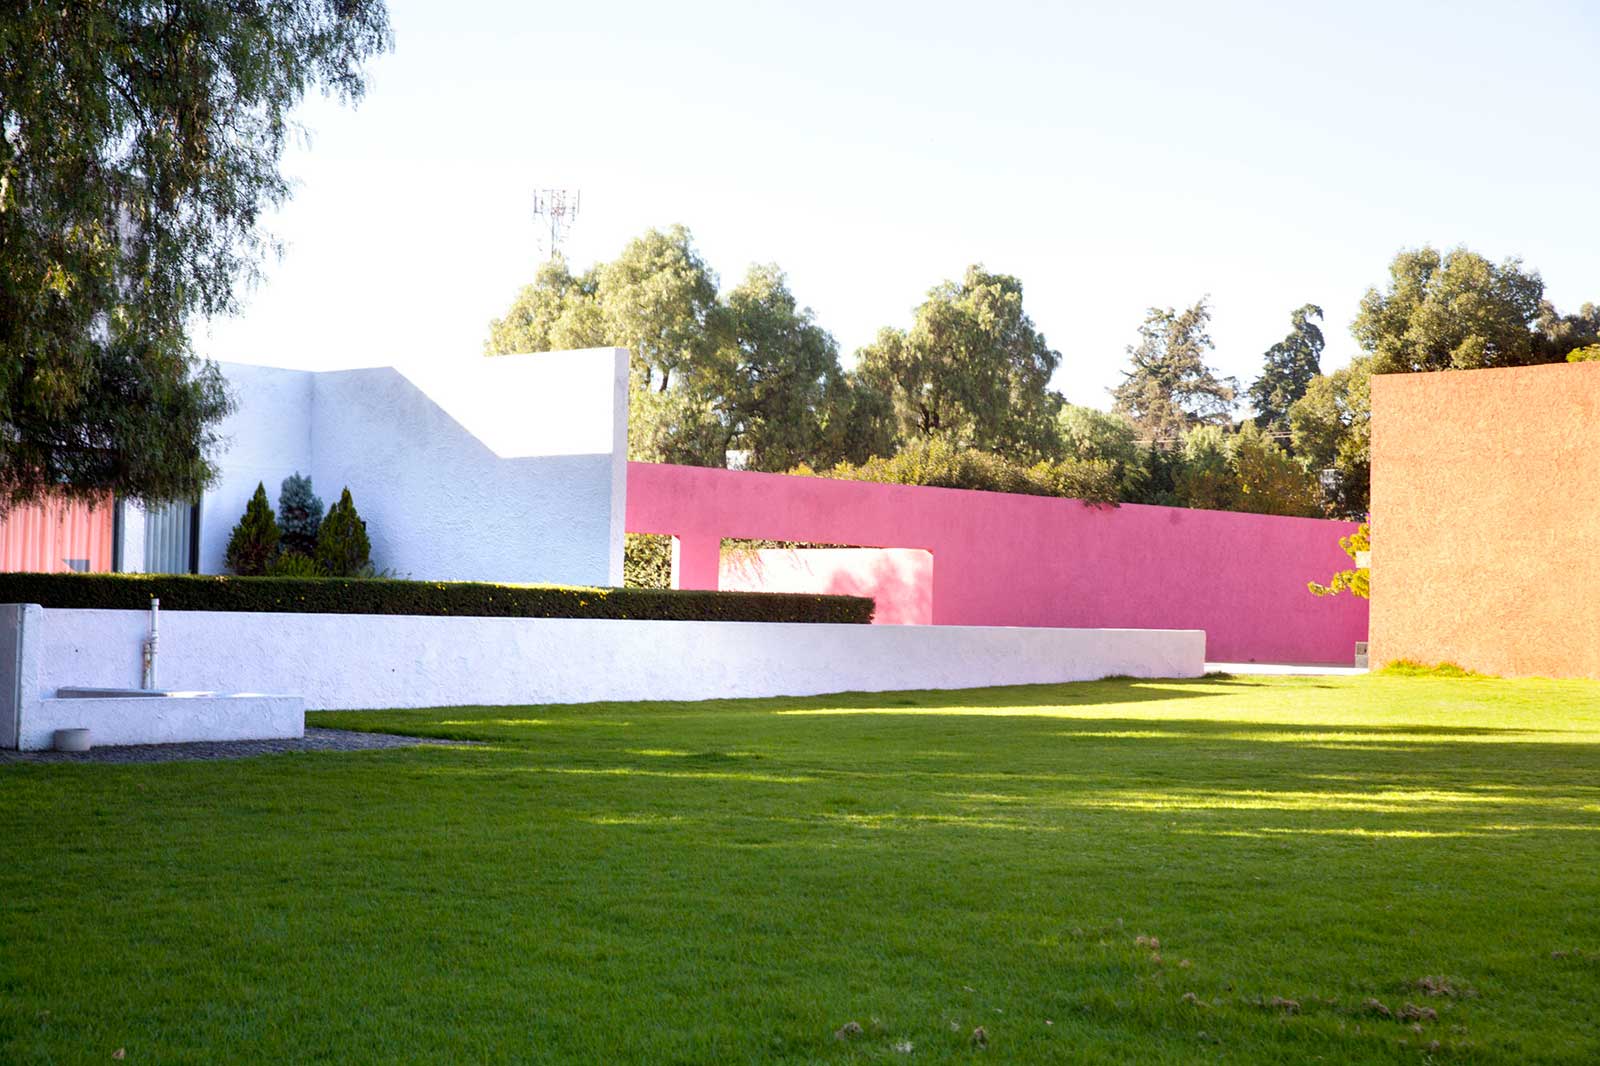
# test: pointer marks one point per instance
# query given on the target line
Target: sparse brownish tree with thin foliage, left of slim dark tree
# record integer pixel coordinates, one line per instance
(1170, 388)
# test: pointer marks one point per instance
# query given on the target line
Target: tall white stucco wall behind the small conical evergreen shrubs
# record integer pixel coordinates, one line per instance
(479, 470)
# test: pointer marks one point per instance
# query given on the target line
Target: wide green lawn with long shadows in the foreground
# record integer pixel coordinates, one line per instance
(734, 883)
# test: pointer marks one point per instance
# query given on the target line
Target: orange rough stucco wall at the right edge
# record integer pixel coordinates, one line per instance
(1487, 519)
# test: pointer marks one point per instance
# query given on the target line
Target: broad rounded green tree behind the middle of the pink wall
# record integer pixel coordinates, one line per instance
(972, 369)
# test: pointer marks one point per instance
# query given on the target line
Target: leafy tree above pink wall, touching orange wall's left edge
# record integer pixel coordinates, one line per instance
(1332, 435)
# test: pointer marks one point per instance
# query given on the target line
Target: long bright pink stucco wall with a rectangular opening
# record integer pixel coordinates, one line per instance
(1030, 561)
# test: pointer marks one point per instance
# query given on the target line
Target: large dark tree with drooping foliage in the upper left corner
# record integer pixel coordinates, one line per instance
(140, 145)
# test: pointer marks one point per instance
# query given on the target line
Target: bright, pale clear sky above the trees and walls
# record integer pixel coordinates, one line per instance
(1113, 156)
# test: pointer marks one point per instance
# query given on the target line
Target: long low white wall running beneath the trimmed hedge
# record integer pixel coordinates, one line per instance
(348, 662)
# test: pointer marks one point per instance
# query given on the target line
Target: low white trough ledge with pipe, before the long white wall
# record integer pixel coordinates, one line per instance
(164, 719)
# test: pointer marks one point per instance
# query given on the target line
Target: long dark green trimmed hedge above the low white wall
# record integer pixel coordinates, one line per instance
(382, 596)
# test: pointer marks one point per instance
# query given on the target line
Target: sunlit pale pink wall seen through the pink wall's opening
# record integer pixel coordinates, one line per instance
(900, 580)
